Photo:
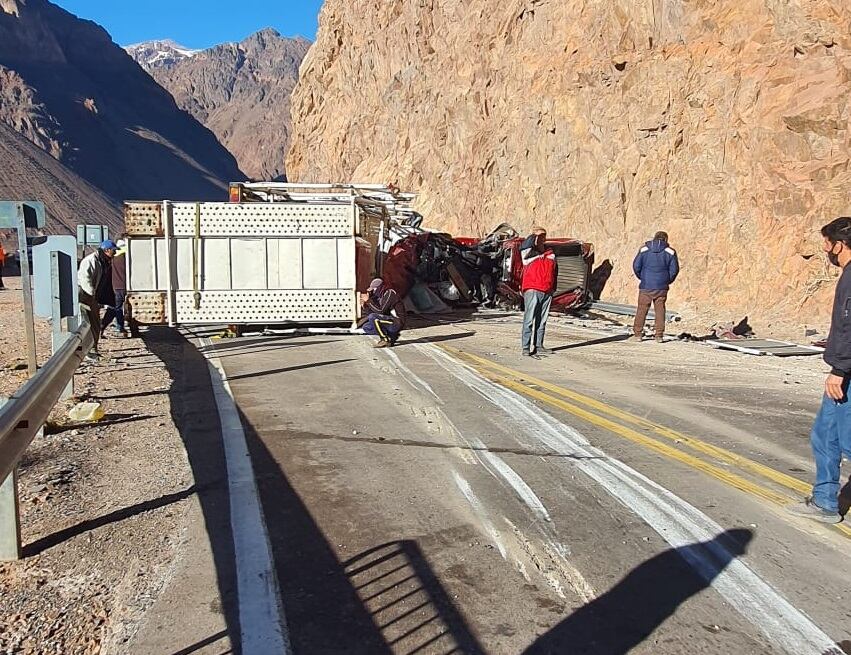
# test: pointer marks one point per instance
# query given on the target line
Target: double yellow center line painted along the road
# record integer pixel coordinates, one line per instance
(521, 386)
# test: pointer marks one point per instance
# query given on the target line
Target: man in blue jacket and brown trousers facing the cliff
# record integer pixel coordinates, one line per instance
(657, 266)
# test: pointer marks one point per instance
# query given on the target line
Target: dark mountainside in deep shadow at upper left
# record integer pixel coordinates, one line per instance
(71, 91)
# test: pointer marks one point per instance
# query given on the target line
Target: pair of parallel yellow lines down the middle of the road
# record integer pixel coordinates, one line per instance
(600, 414)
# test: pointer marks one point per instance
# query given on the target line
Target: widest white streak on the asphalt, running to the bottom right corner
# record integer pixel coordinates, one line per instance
(676, 521)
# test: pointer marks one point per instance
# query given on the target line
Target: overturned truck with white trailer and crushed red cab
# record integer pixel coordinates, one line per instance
(280, 253)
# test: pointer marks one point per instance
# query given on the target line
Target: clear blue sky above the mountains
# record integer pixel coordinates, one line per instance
(196, 23)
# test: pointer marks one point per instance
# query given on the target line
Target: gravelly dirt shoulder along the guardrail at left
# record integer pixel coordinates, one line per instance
(103, 506)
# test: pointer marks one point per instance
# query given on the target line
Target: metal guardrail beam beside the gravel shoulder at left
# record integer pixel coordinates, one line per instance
(26, 411)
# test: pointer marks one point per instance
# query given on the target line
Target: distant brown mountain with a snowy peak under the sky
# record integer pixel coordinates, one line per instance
(241, 91)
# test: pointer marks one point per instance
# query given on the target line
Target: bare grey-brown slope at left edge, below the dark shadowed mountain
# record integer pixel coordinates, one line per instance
(29, 173)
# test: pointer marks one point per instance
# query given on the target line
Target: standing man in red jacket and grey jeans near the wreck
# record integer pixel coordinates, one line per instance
(538, 285)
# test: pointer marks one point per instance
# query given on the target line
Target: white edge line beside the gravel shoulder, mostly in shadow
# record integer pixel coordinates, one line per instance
(263, 629)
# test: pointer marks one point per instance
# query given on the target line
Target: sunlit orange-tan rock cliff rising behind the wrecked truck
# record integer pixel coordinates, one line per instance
(725, 123)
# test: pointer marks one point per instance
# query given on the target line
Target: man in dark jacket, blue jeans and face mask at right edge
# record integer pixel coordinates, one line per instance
(831, 433)
